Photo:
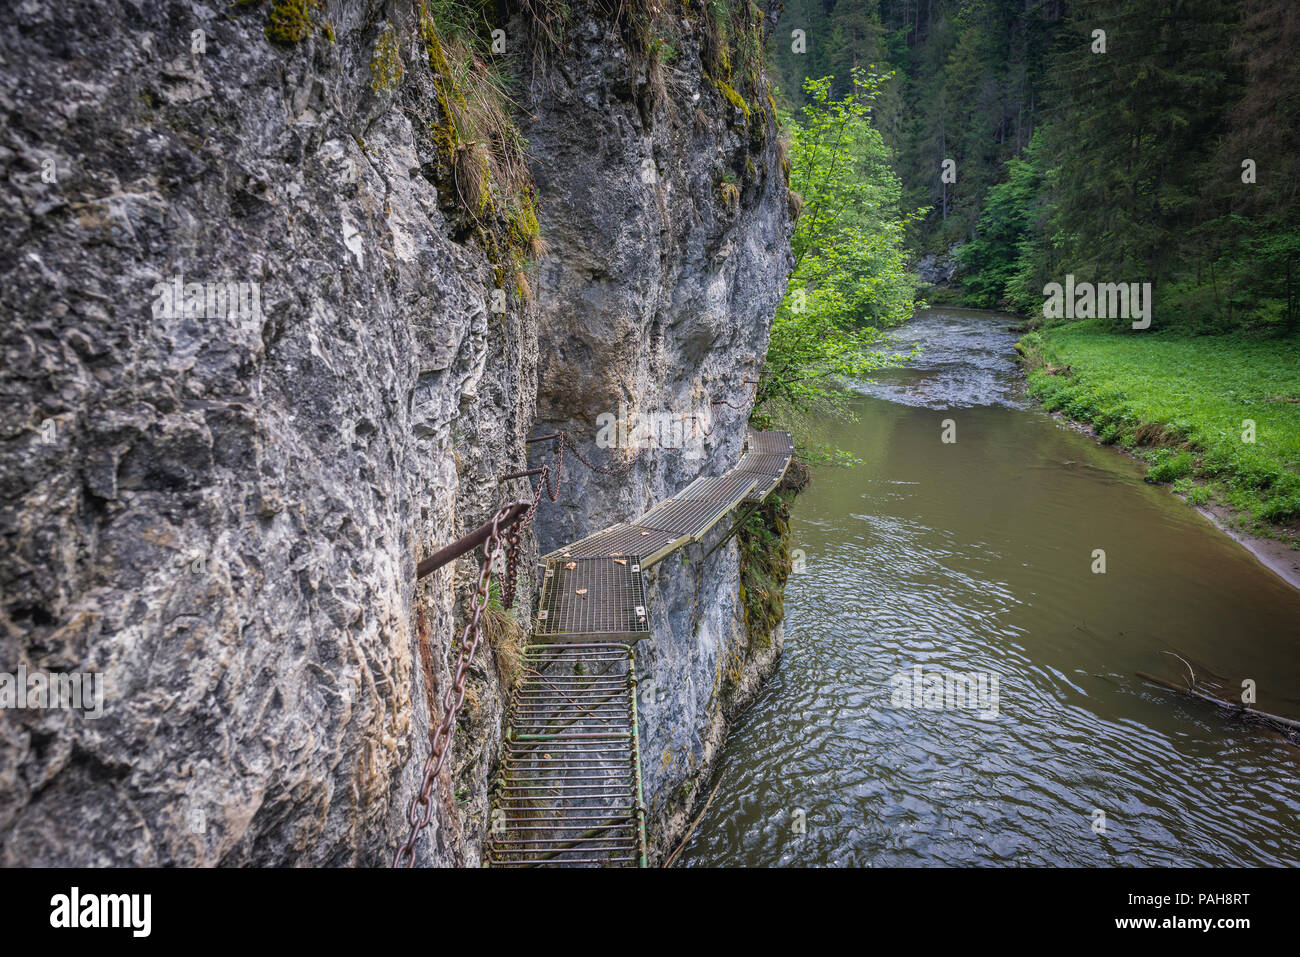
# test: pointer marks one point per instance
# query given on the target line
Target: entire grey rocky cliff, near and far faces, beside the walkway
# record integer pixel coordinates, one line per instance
(220, 509)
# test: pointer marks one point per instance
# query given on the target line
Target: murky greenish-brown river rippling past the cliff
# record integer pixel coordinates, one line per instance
(977, 557)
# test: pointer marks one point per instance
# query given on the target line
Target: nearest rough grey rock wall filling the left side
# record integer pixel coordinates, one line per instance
(223, 514)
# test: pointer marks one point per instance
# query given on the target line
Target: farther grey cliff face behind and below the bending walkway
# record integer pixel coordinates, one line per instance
(668, 228)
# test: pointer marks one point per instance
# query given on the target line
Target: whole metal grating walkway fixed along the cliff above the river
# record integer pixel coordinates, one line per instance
(570, 785)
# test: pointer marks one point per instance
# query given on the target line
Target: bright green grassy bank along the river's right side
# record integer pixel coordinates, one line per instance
(1182, 405)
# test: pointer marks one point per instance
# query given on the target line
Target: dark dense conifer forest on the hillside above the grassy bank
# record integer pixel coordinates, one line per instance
(1117, 141)
